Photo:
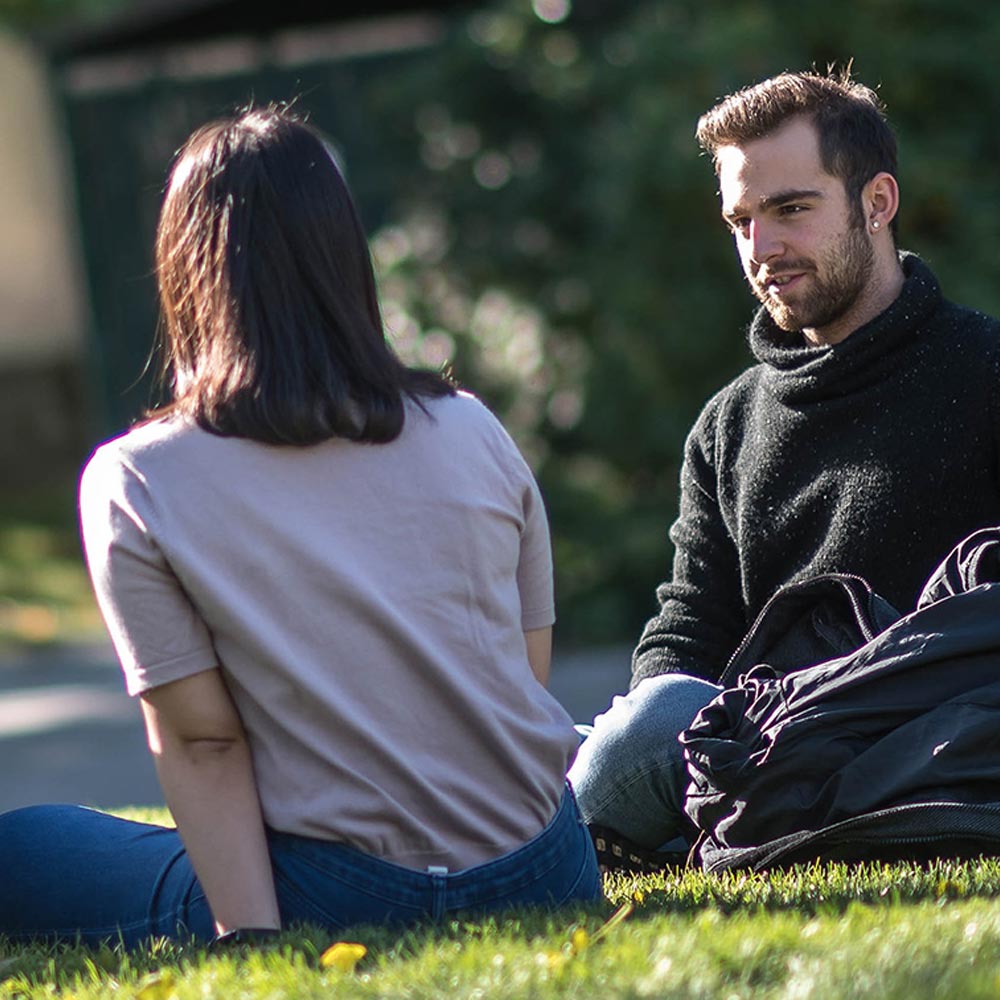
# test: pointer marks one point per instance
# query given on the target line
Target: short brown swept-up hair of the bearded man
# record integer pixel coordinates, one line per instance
(856, 141)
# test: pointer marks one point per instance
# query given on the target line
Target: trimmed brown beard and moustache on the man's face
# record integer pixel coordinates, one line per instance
(847, 269)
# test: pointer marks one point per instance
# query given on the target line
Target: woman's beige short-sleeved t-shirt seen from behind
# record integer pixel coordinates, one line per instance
(366, 604)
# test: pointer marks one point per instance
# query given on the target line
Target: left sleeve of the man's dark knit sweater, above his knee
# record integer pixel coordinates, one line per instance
(701, 618)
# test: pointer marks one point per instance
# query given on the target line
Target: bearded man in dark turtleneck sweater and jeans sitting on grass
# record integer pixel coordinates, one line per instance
(864, 440)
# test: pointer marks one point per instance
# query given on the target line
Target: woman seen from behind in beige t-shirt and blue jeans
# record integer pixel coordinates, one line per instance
(328, 580)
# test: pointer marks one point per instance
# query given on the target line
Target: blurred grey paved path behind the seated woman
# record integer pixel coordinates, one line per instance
(69, 733)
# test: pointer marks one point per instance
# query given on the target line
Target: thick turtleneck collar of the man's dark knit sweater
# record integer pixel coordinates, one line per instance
(799, 373)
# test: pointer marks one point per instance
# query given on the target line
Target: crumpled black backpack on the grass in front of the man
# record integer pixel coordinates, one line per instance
(847, 732)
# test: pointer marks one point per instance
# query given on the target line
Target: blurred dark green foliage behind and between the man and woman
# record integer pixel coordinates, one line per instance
(561, 244)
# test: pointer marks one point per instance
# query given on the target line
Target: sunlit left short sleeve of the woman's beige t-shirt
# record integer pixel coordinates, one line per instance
(158, 635)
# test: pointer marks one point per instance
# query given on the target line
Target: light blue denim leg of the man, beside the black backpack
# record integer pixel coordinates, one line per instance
(629, 773)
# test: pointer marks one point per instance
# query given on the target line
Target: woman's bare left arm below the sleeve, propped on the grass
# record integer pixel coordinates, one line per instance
(205, 769)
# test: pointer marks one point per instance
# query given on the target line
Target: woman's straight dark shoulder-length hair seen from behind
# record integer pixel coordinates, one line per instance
(270, 325)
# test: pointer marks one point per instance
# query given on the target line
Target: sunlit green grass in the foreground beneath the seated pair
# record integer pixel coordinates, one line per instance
(824, 931)
